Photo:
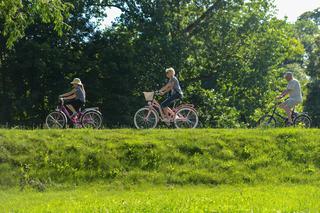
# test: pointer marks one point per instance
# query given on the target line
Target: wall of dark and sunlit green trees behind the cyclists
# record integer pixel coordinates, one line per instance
(229, 56)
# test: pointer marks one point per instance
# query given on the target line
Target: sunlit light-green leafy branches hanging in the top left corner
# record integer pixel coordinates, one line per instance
(16, 16)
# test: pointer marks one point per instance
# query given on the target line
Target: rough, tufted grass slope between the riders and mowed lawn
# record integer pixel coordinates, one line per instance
(43, 158)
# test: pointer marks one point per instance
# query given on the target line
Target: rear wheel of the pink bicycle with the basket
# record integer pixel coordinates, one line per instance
(186, 118)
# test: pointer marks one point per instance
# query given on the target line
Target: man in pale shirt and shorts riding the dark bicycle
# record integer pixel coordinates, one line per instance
(295, 96)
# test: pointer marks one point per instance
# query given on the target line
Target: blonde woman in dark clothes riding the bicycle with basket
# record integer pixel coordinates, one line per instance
(175, 92)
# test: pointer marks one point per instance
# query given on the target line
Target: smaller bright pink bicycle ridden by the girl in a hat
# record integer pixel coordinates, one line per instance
(87, 118)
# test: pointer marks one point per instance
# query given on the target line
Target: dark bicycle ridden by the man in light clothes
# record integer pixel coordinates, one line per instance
(274, 119)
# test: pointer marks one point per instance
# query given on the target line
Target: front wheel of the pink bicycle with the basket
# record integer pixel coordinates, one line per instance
(146, 118)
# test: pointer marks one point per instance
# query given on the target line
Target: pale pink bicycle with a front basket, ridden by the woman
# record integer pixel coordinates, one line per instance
(185, 115)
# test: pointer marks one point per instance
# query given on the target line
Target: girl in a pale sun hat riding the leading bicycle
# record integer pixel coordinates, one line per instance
(76, 98)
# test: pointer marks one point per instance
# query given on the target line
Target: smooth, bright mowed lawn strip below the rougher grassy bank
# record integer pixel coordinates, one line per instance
(224, 198)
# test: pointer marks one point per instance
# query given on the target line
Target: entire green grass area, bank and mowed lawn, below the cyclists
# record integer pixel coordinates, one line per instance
(203, 170)
